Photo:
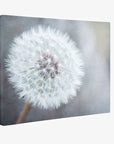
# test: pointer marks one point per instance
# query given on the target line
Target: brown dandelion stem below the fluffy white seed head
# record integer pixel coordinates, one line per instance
(24, 113)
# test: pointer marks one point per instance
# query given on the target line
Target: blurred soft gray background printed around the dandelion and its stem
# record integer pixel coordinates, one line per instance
(92, 38)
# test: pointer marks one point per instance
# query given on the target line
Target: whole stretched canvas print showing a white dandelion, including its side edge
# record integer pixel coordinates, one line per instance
(53, 68)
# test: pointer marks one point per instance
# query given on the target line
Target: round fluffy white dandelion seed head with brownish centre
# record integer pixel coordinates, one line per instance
(45, 67)
